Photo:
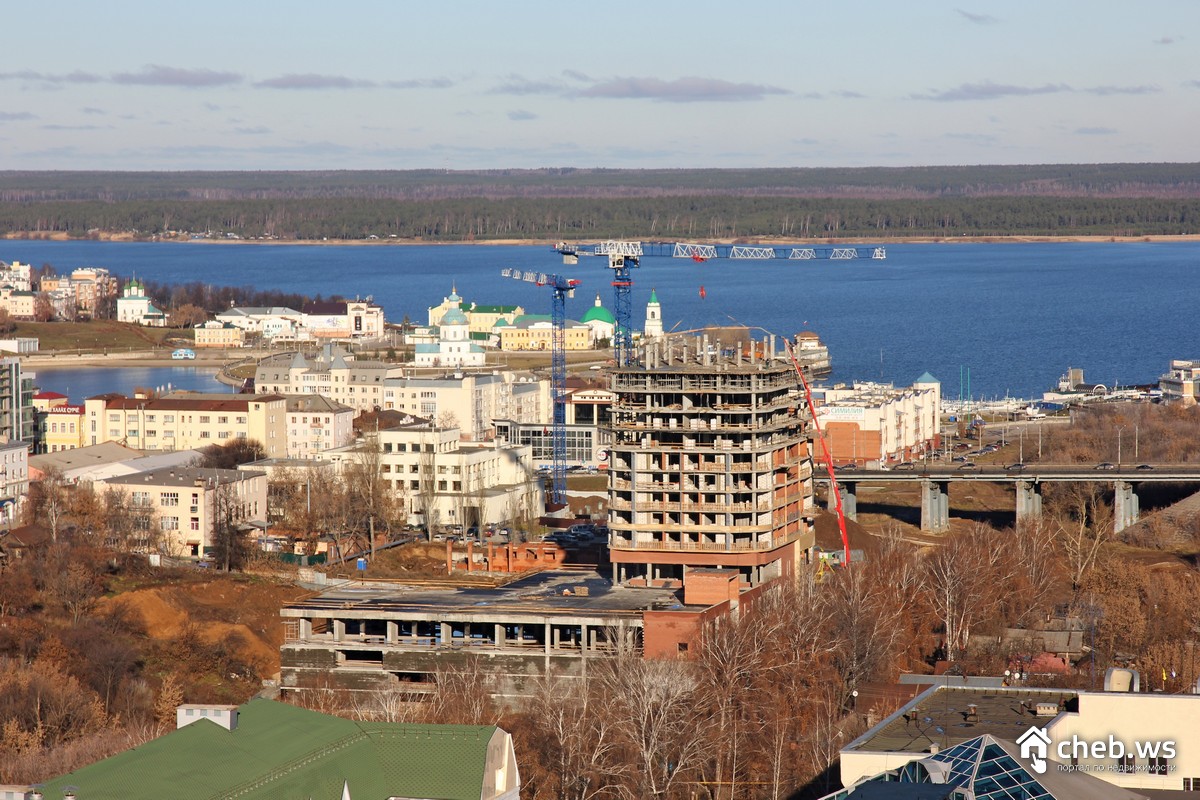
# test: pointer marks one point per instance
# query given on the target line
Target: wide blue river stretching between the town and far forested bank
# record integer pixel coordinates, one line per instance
(1016, 315)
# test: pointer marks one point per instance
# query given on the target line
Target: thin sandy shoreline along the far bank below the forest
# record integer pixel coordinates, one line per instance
(549, 243)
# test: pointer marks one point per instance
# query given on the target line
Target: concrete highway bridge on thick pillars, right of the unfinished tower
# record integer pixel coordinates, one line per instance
(935, 483)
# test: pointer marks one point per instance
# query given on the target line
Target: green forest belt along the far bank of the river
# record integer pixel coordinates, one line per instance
(669, 218)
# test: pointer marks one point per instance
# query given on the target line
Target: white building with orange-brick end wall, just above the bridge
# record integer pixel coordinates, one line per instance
(872, 422)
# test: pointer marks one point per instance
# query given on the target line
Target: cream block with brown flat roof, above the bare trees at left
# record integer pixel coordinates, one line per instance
(178, 509)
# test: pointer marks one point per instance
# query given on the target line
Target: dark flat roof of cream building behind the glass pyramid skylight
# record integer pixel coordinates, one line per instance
(940, 717)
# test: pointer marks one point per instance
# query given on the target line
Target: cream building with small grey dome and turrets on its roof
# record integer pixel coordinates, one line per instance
(332, 372)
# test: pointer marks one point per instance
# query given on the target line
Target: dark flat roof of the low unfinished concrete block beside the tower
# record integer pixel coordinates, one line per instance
(542, 593)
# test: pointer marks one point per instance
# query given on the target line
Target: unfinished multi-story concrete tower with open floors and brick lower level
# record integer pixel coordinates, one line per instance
(710, 464)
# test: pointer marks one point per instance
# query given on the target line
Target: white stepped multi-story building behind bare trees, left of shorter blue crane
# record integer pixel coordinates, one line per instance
(447, 480)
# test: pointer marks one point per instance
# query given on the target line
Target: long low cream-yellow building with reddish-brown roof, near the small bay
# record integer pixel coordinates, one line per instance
(188, 420)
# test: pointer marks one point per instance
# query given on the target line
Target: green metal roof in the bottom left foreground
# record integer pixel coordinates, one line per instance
(281, 753)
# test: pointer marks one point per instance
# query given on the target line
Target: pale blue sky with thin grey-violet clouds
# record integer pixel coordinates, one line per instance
(470, 85)
